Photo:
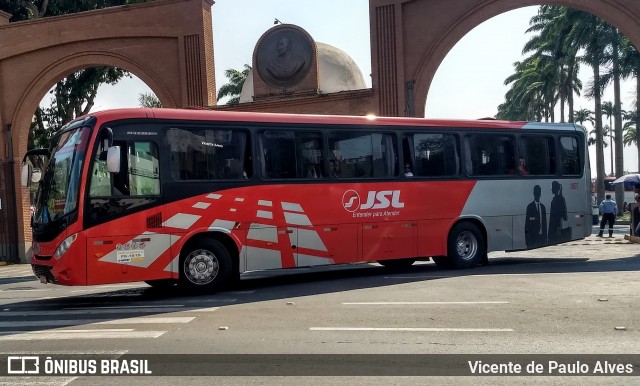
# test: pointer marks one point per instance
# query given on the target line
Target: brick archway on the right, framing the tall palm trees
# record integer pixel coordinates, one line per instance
(410, 39)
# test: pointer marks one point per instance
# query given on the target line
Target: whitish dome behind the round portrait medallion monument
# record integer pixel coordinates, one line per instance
(337, 71)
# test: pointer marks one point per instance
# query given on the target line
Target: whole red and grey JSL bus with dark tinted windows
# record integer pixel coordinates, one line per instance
(197, 197)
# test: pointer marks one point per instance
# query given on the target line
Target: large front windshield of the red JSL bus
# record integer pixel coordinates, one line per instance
(59, 188)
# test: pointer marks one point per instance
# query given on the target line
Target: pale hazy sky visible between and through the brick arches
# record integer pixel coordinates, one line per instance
(468, 84)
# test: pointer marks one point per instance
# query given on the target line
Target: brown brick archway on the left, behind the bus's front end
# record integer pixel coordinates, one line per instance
(168, 44)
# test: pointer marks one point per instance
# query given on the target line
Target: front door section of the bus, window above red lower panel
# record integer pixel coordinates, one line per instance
(125, 241)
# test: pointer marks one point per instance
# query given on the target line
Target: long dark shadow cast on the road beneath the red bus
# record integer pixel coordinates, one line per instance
(144, 301)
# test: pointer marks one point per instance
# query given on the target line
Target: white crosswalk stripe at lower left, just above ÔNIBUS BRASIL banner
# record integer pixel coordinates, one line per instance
(83, 334)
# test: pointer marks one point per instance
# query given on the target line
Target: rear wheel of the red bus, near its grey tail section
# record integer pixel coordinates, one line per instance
(466, 248)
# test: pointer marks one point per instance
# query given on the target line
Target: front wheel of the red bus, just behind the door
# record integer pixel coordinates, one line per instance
(205, 267)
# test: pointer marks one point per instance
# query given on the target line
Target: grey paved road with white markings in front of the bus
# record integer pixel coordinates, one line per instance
(578, 298)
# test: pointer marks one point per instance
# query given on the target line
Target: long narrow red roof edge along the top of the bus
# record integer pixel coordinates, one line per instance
(254, 117)
